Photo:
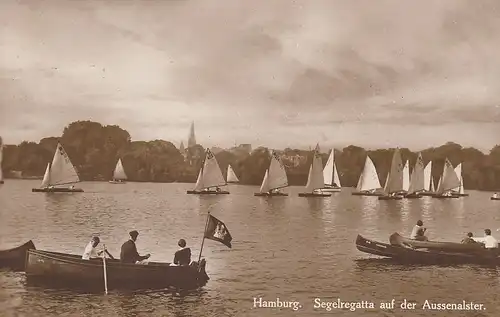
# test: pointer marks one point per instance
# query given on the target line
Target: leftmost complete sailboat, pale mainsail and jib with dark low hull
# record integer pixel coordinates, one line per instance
(59, 174)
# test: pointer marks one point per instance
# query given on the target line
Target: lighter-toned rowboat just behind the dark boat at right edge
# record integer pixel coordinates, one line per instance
(397, 239)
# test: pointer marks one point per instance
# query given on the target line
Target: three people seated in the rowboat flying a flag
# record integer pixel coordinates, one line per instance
(129, 253)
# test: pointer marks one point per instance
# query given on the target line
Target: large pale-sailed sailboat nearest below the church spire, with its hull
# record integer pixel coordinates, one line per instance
(209, 178)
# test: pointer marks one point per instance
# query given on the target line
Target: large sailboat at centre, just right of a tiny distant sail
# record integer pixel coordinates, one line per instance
(274, 179)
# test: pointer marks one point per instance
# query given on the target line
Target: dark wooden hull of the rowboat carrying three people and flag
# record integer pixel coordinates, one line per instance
(73, 272)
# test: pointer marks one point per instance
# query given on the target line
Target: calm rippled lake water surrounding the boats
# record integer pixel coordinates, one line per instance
(287, 247)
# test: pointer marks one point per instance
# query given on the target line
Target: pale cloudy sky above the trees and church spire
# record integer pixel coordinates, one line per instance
(278, 73)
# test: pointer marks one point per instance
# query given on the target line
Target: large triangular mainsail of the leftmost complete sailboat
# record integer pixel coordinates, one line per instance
(62, 170)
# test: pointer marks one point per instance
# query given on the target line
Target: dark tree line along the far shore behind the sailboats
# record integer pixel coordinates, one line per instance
(94, 149)
